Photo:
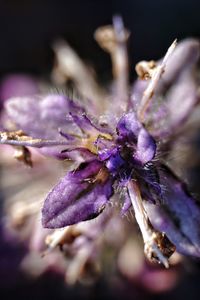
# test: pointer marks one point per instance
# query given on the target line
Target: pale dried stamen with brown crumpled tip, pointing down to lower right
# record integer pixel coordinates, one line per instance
(152, 238)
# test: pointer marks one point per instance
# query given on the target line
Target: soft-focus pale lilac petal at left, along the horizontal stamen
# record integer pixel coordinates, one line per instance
(44, 118)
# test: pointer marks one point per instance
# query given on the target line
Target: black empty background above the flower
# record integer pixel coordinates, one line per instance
(28, 27)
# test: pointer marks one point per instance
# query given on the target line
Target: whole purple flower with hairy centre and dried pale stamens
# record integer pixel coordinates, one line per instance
(119, 154)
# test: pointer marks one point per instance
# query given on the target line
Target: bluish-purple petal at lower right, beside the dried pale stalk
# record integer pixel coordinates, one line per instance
(178, 216)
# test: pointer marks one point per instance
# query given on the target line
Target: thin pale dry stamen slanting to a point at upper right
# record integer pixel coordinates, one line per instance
(150, 90)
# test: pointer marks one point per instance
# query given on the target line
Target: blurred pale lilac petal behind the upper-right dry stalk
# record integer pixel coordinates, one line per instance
(176, 93)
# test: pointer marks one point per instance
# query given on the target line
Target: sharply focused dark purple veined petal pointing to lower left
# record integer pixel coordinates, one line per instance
(79, 196)
